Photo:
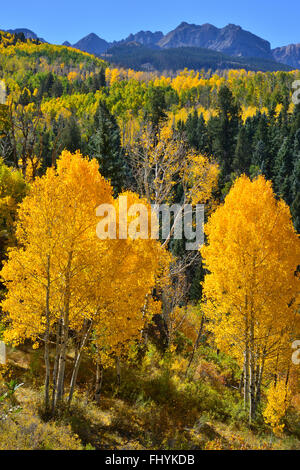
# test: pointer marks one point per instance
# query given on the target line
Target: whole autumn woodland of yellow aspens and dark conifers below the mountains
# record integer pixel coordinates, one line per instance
(140, 344)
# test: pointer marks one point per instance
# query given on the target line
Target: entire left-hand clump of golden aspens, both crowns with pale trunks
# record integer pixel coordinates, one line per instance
(62, 278)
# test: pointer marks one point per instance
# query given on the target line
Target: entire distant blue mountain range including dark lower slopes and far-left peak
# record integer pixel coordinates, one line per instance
(230, 41)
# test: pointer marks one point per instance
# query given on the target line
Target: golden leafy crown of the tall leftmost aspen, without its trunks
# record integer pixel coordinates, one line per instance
(56, 219)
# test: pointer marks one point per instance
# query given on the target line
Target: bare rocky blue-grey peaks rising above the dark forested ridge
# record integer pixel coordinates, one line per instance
(232, 40)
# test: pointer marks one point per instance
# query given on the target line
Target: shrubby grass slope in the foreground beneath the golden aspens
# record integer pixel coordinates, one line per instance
(155, 407)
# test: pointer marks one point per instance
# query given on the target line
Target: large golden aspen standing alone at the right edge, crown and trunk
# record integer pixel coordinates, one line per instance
(251, 290)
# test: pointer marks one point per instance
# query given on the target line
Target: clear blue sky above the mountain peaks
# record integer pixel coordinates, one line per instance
(60, 20)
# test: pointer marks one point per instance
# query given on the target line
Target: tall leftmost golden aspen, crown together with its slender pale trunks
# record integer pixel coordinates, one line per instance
(45, 275)
